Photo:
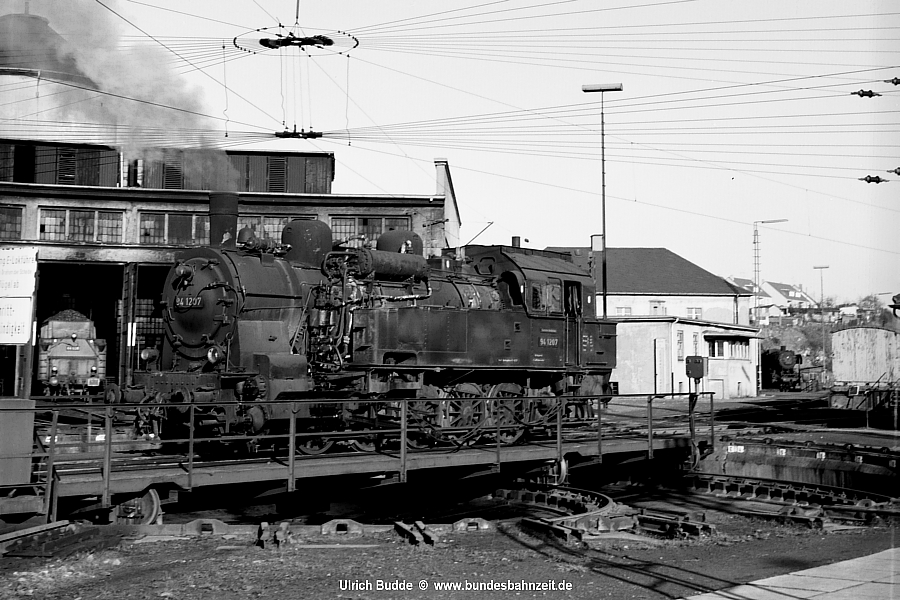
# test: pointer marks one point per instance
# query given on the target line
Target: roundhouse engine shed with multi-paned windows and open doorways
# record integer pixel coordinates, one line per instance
(105, 230)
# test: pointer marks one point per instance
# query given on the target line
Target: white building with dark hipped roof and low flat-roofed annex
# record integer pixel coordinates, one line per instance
(668, 308)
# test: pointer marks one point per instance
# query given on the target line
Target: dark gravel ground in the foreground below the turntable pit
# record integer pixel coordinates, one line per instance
(217, 568)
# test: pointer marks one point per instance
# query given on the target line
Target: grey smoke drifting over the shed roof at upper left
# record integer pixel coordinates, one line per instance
(146, 104)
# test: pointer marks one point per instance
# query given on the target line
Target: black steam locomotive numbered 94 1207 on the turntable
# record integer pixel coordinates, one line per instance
(479, 342)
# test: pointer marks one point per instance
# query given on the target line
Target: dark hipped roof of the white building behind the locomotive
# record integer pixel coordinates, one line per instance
(654, 271)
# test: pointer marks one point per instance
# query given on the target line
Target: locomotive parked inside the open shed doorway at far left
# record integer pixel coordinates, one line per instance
(71, 359)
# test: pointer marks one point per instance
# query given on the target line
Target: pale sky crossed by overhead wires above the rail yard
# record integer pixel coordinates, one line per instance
(732, 112)
